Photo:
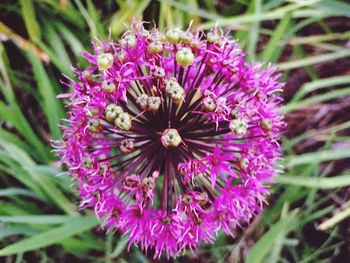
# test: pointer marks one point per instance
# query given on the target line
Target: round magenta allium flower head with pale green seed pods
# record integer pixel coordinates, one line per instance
(172, 137)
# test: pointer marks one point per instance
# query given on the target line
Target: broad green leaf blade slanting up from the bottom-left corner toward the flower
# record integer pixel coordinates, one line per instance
(53, 236)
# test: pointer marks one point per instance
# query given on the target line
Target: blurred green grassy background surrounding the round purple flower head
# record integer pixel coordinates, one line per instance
(308, 216)
